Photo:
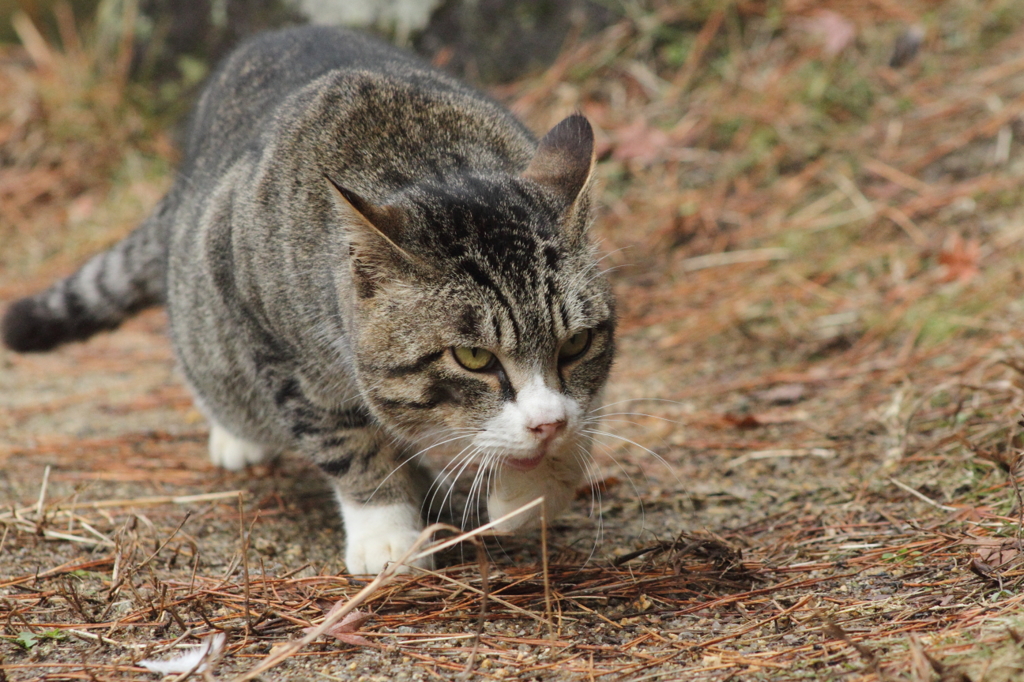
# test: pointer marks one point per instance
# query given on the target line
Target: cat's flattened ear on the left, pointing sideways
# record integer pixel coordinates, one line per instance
(374, 235)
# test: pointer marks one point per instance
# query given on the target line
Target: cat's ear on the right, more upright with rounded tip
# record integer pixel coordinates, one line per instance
(565, 159)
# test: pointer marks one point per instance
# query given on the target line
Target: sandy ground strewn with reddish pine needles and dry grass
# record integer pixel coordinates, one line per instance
(812, 468)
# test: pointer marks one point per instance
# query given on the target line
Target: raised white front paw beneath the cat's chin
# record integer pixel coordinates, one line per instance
(557, 482)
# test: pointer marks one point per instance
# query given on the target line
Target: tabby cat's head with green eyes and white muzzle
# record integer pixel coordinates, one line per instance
(482, 314)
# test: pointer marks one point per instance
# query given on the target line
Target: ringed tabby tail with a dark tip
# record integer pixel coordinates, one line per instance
(111, 286)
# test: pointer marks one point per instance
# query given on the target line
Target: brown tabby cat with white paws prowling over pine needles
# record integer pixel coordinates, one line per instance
(364, 260)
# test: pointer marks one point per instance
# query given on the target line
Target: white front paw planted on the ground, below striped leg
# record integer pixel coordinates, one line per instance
(376, 536)
